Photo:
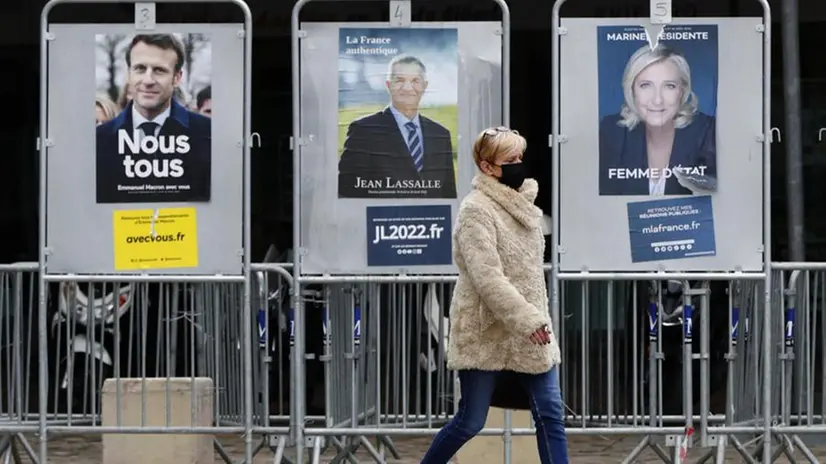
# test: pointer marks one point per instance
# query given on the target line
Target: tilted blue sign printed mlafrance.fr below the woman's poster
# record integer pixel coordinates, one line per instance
(671, 229)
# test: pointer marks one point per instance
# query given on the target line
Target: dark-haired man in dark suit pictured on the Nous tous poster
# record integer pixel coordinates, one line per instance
(155, 150)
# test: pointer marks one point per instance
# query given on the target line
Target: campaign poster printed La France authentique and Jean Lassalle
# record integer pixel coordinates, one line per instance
(398, 113)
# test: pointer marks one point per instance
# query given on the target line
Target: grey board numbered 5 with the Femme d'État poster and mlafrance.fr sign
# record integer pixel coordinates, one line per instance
(651, 123)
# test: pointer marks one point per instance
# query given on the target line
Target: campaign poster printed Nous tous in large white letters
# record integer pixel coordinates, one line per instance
(153, 115)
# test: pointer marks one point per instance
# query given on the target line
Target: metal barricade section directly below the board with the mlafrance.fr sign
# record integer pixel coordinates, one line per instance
(629, 360)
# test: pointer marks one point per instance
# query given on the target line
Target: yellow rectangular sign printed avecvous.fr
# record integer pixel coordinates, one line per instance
(155, 239)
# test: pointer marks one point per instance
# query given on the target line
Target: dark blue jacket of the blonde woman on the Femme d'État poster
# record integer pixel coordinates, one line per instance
(623, 152)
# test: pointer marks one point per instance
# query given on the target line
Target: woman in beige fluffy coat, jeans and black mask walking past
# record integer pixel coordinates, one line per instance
(499, 322)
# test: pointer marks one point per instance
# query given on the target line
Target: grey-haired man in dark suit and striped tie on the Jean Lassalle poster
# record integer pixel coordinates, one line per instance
(397, 152)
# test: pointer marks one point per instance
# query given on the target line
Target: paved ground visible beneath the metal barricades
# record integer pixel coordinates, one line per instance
(584, 450)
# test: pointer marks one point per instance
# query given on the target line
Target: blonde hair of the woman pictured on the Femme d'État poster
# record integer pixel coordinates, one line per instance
(640, 61)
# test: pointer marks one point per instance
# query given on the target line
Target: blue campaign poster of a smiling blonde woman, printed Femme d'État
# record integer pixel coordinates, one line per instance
(657, 105)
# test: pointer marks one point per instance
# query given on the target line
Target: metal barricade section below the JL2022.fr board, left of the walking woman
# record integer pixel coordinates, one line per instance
(382, 346)
